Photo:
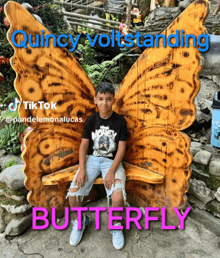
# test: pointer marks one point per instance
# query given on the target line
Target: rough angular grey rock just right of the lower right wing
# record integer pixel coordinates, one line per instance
(200, 191)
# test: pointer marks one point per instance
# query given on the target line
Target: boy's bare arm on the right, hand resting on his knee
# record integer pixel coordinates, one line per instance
(110, 177)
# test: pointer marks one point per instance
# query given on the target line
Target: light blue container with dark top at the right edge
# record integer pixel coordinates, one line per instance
(215, 138)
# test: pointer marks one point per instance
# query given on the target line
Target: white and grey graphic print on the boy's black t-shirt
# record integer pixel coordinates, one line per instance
(104, 142)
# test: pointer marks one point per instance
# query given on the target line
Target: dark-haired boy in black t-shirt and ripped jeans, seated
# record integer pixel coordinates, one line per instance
(104, 138)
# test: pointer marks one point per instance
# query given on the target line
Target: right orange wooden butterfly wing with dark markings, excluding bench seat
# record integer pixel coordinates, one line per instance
(157, 99)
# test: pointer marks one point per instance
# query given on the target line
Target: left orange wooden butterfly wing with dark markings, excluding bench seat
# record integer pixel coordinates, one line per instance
(48, 75)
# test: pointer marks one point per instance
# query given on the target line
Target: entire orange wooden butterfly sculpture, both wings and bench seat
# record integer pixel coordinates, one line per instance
(156, 98)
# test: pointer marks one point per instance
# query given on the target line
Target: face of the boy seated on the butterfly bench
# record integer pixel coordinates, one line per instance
(104, 102)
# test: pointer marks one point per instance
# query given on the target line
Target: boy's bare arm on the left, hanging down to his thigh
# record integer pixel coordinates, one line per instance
(82, 162)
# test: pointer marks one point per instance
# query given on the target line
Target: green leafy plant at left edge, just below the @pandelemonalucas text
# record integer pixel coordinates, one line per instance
(9, 137)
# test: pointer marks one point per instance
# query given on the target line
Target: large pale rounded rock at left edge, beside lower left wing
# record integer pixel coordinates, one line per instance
(13, 177)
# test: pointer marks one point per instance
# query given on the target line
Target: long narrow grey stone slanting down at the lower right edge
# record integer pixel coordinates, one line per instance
(210, 222)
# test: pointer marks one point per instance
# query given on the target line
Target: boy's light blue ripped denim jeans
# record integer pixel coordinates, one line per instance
(94, 167)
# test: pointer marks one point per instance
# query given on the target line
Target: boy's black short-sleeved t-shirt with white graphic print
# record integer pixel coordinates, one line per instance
(104, 134)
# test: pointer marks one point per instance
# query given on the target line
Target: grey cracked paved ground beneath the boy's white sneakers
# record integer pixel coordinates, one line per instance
(193, 242)
